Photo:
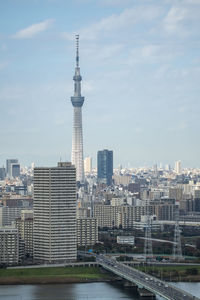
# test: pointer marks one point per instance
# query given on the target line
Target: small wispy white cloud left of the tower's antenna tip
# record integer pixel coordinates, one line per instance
(33, 30)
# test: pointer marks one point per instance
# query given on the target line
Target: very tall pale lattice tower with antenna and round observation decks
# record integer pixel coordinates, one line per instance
(77, 136)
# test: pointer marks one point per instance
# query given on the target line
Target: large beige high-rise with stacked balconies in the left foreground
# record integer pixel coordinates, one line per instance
(54, 233)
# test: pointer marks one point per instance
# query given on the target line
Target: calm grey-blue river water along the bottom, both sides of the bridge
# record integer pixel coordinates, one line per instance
(78, 291)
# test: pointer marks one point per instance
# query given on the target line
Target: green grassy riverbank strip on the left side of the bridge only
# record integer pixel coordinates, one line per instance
(53, 275)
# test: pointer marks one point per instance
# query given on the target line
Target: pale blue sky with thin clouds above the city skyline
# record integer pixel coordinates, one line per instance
(140, 65)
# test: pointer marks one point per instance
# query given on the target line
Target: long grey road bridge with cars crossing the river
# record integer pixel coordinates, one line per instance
(143, 280)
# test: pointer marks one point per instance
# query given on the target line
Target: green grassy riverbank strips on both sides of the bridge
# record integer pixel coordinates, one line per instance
(56, 275)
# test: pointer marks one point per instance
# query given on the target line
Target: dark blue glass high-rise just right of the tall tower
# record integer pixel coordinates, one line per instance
(105, 166)
